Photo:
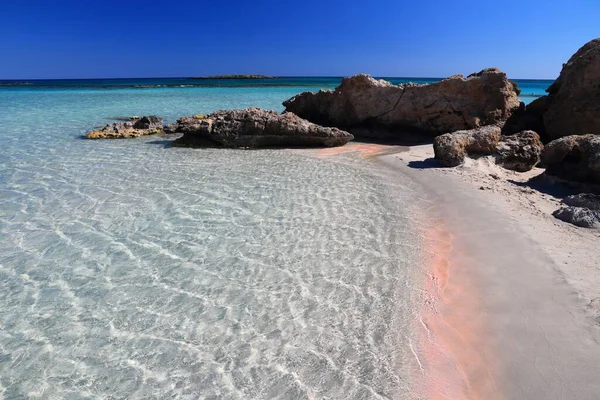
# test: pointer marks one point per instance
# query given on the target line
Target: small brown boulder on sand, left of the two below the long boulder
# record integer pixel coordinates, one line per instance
(451, 148)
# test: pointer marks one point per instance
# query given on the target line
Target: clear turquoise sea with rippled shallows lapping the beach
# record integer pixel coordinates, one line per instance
(130, 269)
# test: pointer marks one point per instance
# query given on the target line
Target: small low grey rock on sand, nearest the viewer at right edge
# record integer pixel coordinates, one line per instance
(581, 210)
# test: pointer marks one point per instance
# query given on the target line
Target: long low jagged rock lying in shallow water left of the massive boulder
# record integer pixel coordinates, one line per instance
(252, 128)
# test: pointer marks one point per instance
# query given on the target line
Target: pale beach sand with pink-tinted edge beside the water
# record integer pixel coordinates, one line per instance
(532, 282)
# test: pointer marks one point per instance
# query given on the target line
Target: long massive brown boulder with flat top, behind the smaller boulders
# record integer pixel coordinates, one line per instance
(370, 107)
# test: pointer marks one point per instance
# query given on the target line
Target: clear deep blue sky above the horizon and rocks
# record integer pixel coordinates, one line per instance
(418, 38)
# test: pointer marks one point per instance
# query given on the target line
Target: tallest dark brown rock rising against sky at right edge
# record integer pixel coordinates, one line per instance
(574, 98)
